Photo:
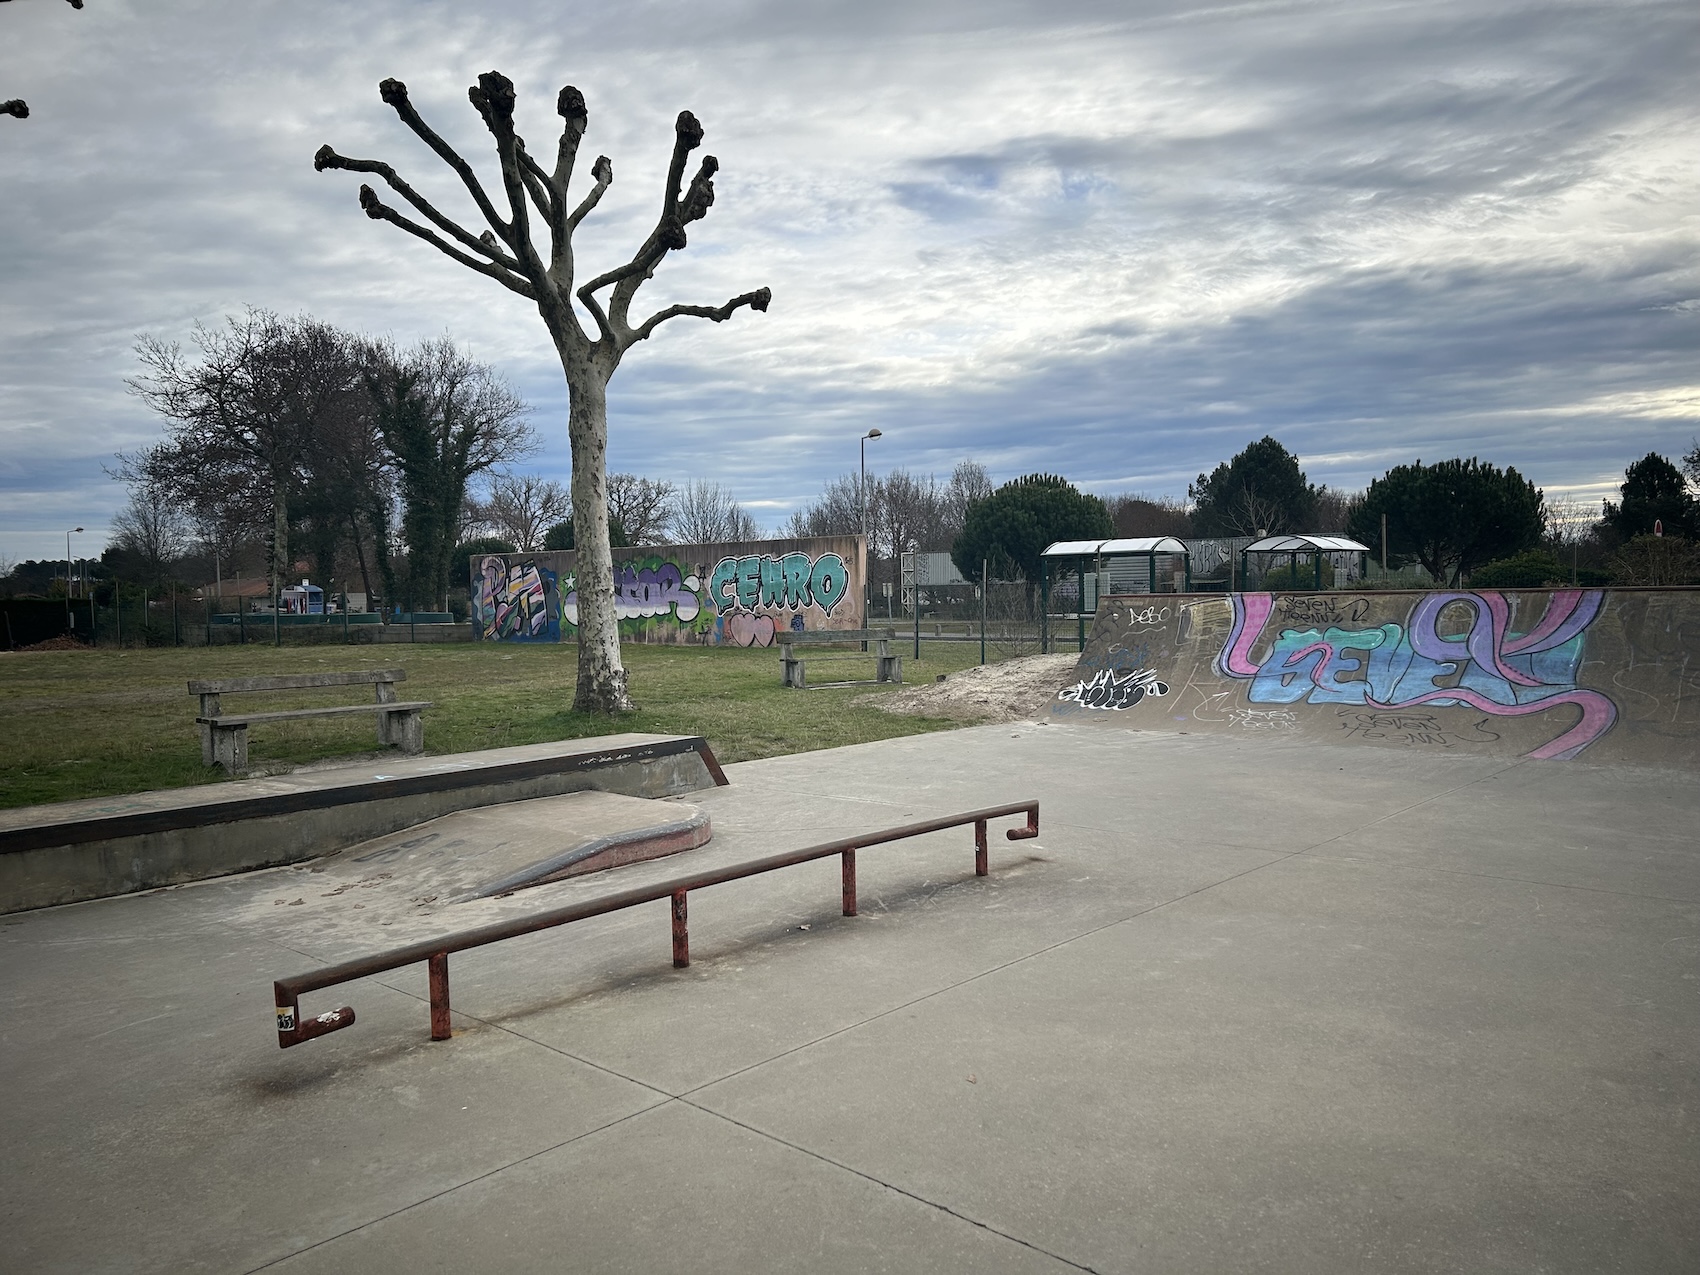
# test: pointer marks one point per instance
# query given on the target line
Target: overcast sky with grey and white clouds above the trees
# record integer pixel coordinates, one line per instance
(1109, 241)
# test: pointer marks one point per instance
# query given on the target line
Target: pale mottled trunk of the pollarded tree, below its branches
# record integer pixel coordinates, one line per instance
(601, 676)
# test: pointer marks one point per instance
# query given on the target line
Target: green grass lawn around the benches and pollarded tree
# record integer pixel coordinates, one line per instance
(98, 723)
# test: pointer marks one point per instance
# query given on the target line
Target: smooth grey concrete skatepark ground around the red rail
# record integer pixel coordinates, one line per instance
(1240, 1007)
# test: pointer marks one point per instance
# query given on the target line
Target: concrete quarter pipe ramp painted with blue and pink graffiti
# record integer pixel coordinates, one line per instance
(1606, 676)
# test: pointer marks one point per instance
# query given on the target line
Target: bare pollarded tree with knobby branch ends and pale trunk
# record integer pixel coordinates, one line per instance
(506, 252)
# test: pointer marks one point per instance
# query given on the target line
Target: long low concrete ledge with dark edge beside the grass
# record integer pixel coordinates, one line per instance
(115, 846)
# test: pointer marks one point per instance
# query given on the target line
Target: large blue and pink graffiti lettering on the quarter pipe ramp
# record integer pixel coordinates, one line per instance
(1395, 669)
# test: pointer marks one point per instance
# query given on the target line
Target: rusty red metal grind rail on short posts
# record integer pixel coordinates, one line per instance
(293, 1029)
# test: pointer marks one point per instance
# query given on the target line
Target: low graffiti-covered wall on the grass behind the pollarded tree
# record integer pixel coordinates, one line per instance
(710, 594)
